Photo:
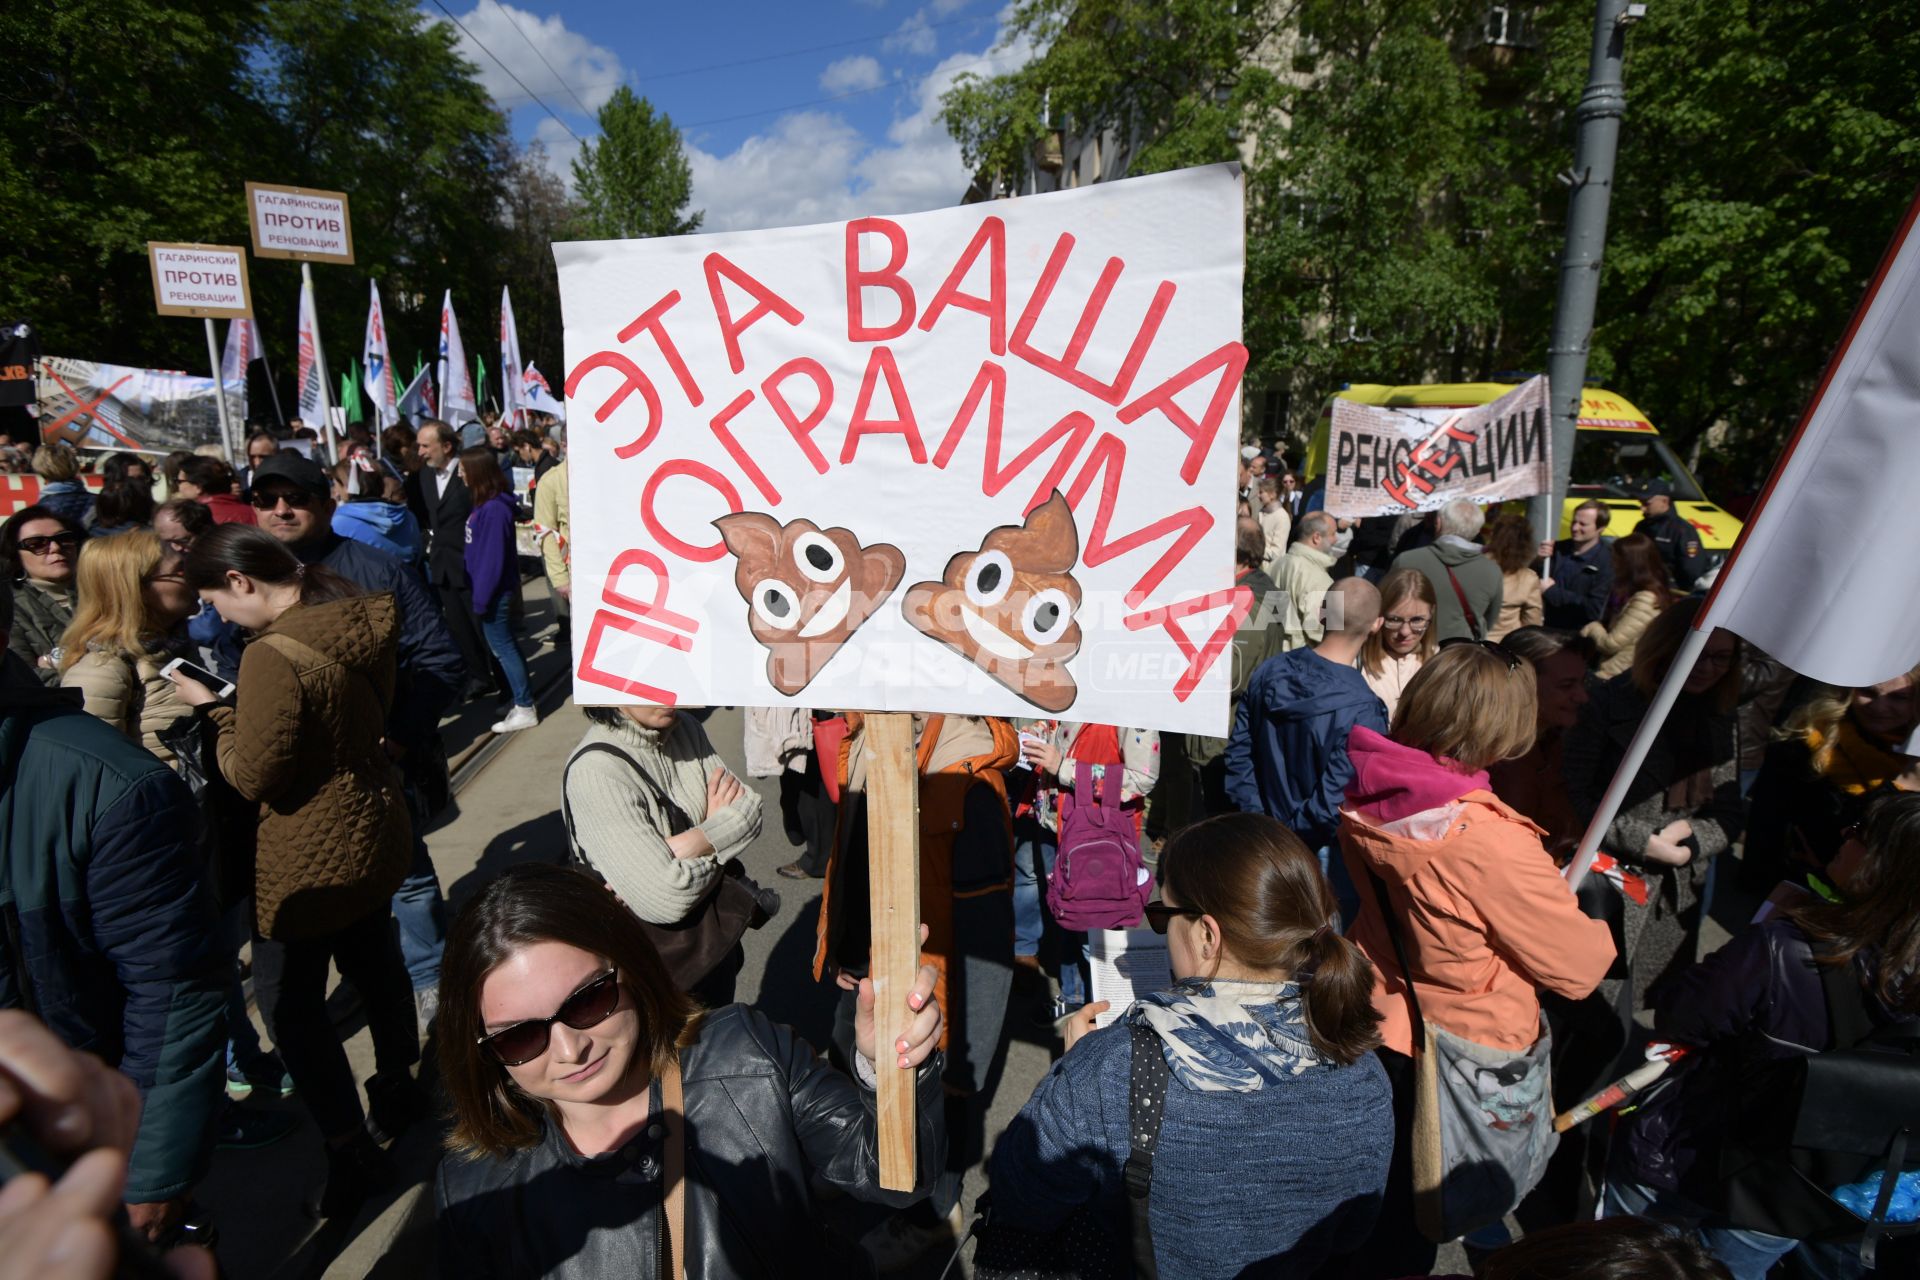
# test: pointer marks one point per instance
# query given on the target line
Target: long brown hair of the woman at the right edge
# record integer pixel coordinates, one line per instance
(1881, 905)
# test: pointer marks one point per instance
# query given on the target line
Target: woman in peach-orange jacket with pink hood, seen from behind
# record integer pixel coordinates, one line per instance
(1481, 909)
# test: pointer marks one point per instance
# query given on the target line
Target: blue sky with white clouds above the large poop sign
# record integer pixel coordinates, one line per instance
(800, 112)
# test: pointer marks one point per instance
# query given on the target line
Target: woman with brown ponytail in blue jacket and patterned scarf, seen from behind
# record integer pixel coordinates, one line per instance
(1276, 1131)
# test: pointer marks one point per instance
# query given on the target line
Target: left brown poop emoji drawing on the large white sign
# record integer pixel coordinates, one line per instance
(807, 590)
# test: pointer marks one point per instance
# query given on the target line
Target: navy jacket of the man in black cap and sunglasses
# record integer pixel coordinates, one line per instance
(429, 665)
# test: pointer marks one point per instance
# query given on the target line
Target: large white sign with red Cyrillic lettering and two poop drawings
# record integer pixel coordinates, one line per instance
(963, 462)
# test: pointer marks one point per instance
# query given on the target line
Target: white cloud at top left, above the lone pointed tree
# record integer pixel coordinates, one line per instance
(581, 76)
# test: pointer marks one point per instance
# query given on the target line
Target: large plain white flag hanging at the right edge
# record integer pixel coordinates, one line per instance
(1823, 577)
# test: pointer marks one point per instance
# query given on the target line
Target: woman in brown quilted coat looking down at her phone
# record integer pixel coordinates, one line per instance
(304, 742)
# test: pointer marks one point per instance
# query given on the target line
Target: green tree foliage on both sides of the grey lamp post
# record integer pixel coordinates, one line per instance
(1404, 220)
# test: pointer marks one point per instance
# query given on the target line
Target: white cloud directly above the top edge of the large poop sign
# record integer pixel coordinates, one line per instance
(815, 168)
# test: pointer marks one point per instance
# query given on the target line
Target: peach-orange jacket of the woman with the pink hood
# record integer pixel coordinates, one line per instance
(1485, 918)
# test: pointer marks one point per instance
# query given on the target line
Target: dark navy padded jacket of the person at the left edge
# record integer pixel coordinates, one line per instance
(118, 939)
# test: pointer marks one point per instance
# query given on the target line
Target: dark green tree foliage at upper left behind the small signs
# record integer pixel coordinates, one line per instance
(141, 120)
